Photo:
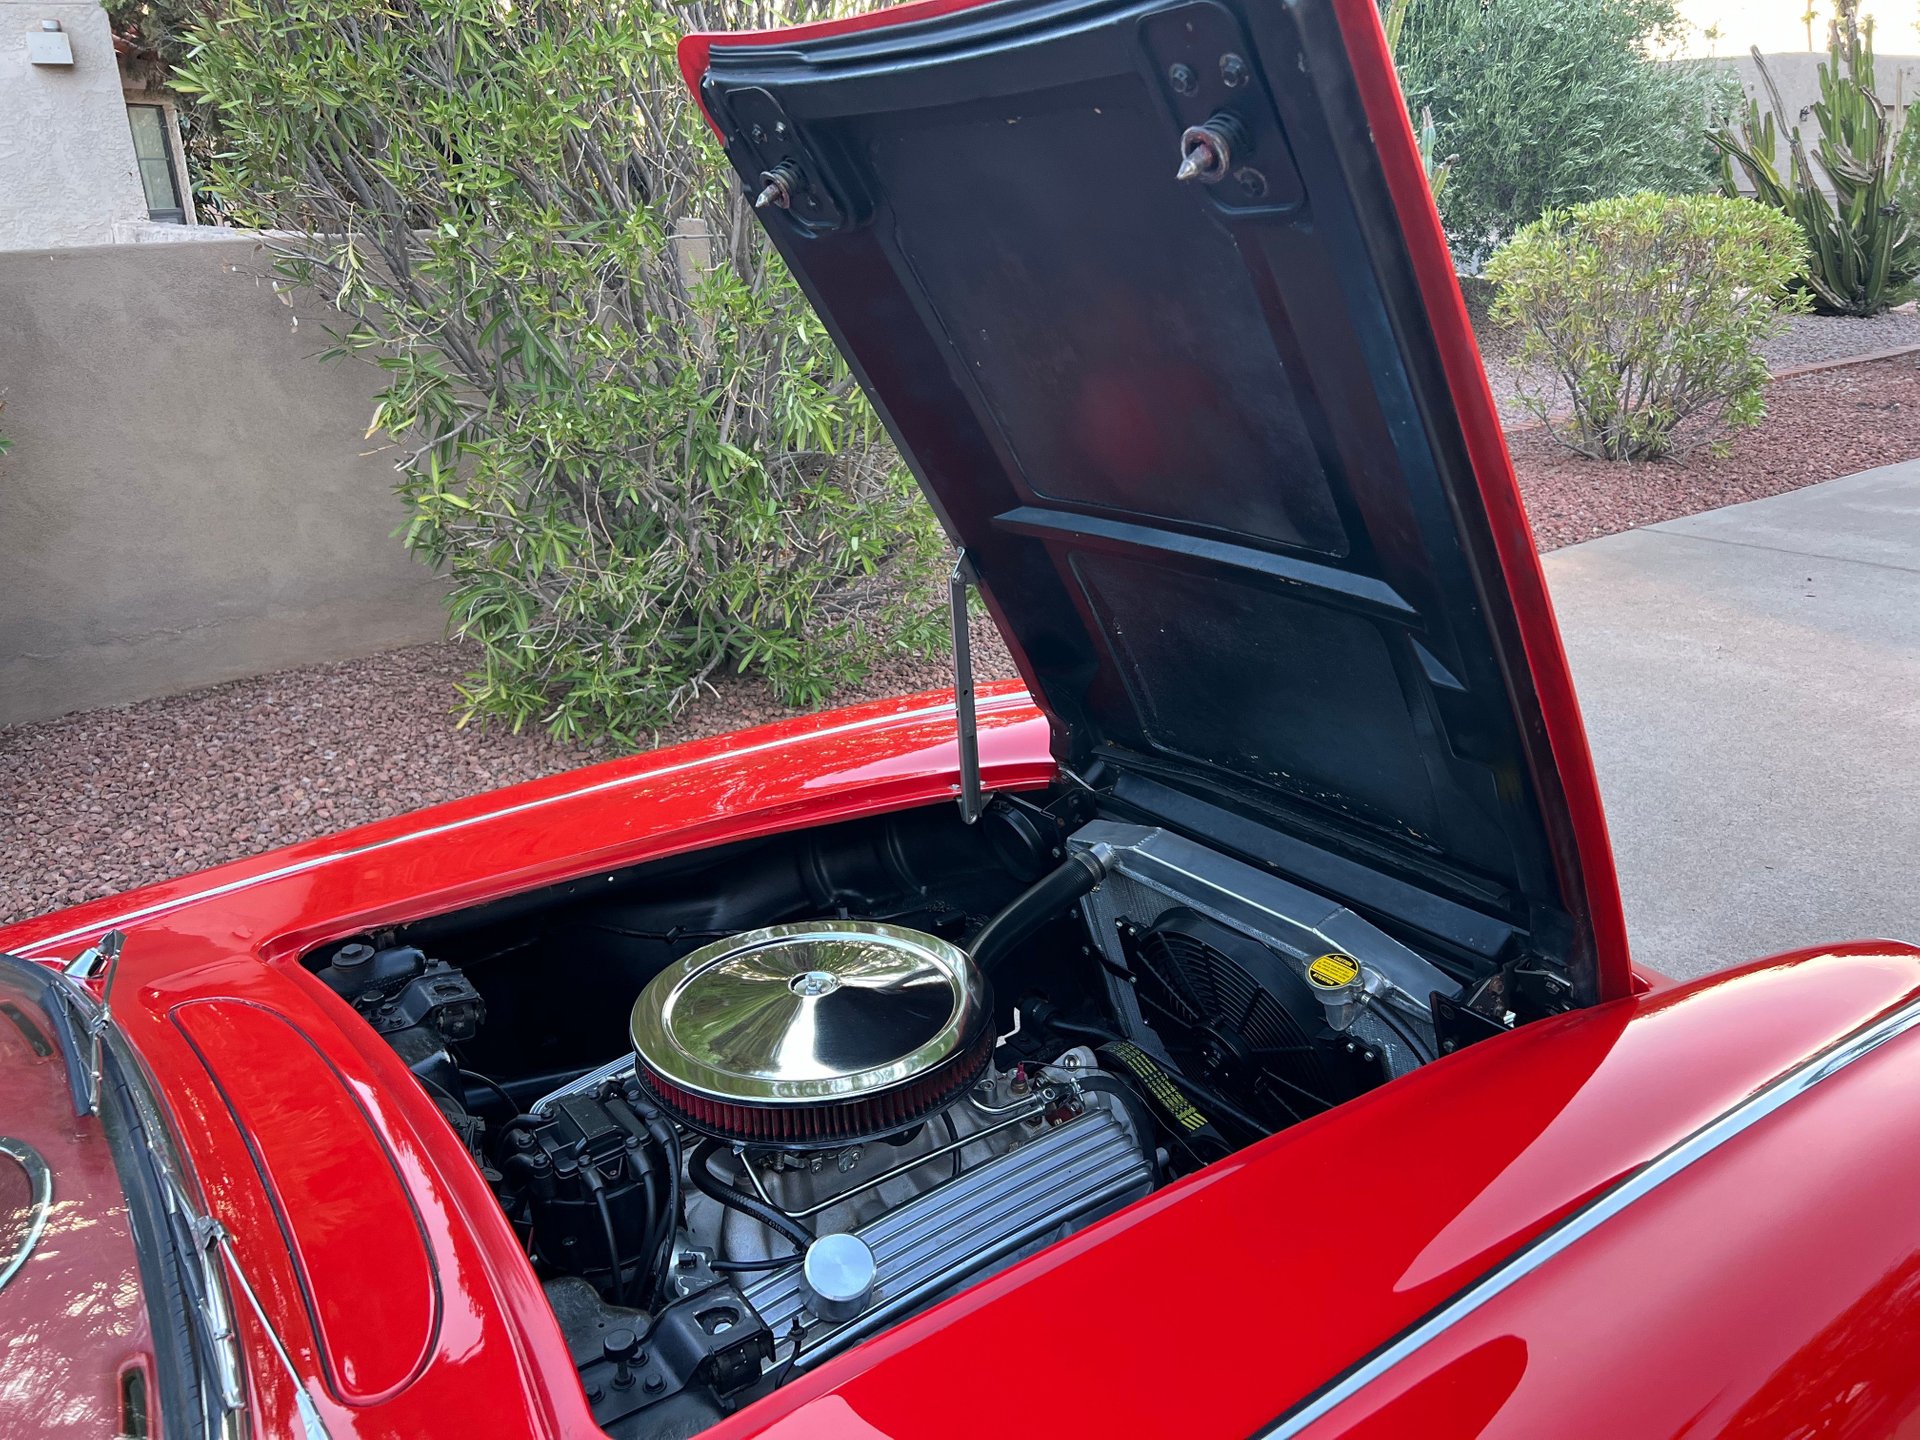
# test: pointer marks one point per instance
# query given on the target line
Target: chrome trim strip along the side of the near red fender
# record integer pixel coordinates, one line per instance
(1660, 1170)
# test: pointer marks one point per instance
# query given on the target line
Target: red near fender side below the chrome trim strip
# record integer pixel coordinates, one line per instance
(1775, 1291)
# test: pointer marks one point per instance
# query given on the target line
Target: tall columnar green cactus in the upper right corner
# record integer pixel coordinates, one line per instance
(1863, 247)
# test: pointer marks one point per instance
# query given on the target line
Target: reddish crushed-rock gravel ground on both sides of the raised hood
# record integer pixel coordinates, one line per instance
(105, 802)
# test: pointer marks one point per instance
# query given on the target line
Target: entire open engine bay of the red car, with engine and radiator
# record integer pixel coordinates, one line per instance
(752, 1107)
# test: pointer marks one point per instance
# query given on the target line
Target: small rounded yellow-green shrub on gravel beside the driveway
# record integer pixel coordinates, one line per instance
(1648, 312)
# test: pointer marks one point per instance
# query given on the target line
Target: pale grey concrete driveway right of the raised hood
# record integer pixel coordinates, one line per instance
(1752, 688)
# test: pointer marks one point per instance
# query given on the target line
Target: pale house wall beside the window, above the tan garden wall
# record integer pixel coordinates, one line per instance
(68, 174)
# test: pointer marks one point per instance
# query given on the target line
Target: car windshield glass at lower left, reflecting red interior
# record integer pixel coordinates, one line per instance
(76, 1343)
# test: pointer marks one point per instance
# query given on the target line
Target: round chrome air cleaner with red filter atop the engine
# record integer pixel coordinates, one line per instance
(813, 1034)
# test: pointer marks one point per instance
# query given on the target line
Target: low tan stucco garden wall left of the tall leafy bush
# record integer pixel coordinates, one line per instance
(189, 496)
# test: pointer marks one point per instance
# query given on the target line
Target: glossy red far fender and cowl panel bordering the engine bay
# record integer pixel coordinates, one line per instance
(285, 1155)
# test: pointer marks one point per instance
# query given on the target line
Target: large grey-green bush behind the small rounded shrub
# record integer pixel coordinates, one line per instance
(1554, 103)
